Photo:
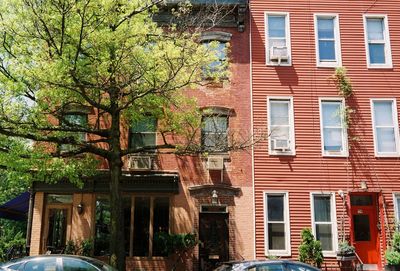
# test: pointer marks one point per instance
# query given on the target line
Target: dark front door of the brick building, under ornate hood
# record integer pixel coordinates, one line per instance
(214, 239)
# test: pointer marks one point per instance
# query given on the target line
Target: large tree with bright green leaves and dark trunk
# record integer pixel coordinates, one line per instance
(106, 57)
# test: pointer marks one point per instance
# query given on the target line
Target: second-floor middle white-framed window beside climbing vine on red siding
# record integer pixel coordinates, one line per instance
(333, 127)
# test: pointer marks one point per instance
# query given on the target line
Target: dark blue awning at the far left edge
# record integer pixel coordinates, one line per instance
(17, 208)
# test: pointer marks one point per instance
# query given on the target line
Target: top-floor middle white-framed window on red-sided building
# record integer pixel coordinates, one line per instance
(327, 40)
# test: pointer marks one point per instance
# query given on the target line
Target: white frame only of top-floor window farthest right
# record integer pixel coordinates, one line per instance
(388, 53)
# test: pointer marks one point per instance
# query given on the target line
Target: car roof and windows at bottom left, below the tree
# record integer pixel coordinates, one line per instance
(56, 263)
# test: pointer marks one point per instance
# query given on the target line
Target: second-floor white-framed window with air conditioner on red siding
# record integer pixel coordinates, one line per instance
(281, 137)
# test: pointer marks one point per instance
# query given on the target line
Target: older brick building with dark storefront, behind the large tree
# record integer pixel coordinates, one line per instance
(210, 196)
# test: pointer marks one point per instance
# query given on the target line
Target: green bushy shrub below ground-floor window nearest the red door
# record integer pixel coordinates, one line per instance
(310, 250)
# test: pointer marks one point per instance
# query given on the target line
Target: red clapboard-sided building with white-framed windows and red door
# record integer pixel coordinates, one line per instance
(331, 161)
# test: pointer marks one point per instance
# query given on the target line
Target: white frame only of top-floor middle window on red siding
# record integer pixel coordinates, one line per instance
(336, 31)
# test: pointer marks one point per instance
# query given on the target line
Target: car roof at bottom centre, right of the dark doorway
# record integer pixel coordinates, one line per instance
(267, 265)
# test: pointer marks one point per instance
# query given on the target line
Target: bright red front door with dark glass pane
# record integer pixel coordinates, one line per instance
(364, 222)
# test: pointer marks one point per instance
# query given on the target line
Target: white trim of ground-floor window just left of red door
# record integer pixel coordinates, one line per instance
(328, 253)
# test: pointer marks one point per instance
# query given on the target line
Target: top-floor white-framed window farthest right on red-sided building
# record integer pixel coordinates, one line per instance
(377, 41)
